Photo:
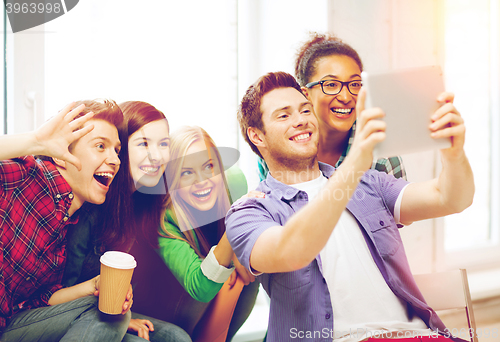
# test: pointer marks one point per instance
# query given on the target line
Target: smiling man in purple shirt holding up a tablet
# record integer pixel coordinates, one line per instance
(325, 241)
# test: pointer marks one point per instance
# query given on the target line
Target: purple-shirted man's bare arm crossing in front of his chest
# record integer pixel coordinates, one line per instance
(294, 245)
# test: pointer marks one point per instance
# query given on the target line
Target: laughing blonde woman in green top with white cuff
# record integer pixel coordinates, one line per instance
(193, 241)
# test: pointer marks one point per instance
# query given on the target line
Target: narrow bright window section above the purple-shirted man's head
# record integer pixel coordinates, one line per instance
(269, 34)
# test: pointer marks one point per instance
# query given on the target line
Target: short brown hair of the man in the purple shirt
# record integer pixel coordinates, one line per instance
(249, 113)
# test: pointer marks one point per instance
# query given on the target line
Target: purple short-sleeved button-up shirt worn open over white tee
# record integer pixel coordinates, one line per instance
(300, 301)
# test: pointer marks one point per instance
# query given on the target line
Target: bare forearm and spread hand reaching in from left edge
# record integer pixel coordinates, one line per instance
(52, 139)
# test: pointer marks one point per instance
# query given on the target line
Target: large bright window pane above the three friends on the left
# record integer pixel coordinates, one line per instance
(153, 51)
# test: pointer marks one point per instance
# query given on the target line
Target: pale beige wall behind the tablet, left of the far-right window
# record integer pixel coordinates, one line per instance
(391, 34)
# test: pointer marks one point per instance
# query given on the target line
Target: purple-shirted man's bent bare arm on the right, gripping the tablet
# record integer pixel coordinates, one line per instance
(453, 190)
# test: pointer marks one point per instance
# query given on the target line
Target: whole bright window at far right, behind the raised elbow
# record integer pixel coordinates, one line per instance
(471, 69)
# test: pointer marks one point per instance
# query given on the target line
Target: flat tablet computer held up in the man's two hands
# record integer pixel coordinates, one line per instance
(408, 98)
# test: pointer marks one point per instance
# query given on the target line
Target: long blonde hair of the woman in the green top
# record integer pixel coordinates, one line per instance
(181, 140)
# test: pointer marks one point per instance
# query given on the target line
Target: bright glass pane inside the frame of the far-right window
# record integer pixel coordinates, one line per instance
(467, 70)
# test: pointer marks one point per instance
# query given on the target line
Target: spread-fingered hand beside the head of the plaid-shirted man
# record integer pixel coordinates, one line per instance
(56, 135)
